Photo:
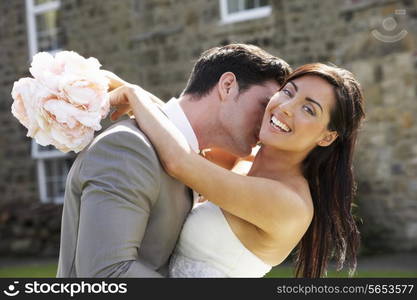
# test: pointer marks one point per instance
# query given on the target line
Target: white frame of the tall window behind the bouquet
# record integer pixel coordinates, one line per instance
(32, 11)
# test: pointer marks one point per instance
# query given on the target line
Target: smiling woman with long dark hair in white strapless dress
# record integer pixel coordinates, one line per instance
(297, 194)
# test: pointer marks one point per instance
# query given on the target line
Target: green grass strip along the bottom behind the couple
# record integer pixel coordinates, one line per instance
(48, 270)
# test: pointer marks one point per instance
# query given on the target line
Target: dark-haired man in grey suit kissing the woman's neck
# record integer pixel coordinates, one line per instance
(122, 213)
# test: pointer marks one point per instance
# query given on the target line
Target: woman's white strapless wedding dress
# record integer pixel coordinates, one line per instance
(207, 247)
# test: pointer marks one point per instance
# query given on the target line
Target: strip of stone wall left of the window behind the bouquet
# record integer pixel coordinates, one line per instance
(18, 170)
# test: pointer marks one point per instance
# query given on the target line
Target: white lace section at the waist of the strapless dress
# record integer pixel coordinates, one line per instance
(184, 267)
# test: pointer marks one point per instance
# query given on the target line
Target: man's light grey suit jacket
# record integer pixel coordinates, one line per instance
(122, 213)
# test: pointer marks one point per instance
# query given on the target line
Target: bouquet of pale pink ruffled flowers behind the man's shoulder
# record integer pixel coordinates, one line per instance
(65, 101)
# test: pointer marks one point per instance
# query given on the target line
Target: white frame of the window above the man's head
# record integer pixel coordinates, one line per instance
(242, 15)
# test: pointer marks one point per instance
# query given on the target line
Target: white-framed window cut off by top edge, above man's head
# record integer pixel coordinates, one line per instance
(242, 10)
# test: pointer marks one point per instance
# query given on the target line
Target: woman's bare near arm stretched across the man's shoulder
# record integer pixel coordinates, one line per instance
(268, 204)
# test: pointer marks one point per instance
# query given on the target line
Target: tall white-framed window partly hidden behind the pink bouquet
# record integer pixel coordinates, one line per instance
(44, 34)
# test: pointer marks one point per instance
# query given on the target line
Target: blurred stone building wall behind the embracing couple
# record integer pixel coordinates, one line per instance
(155, 43)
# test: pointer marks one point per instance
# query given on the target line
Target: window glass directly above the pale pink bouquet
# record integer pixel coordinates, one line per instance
(49, 35)
